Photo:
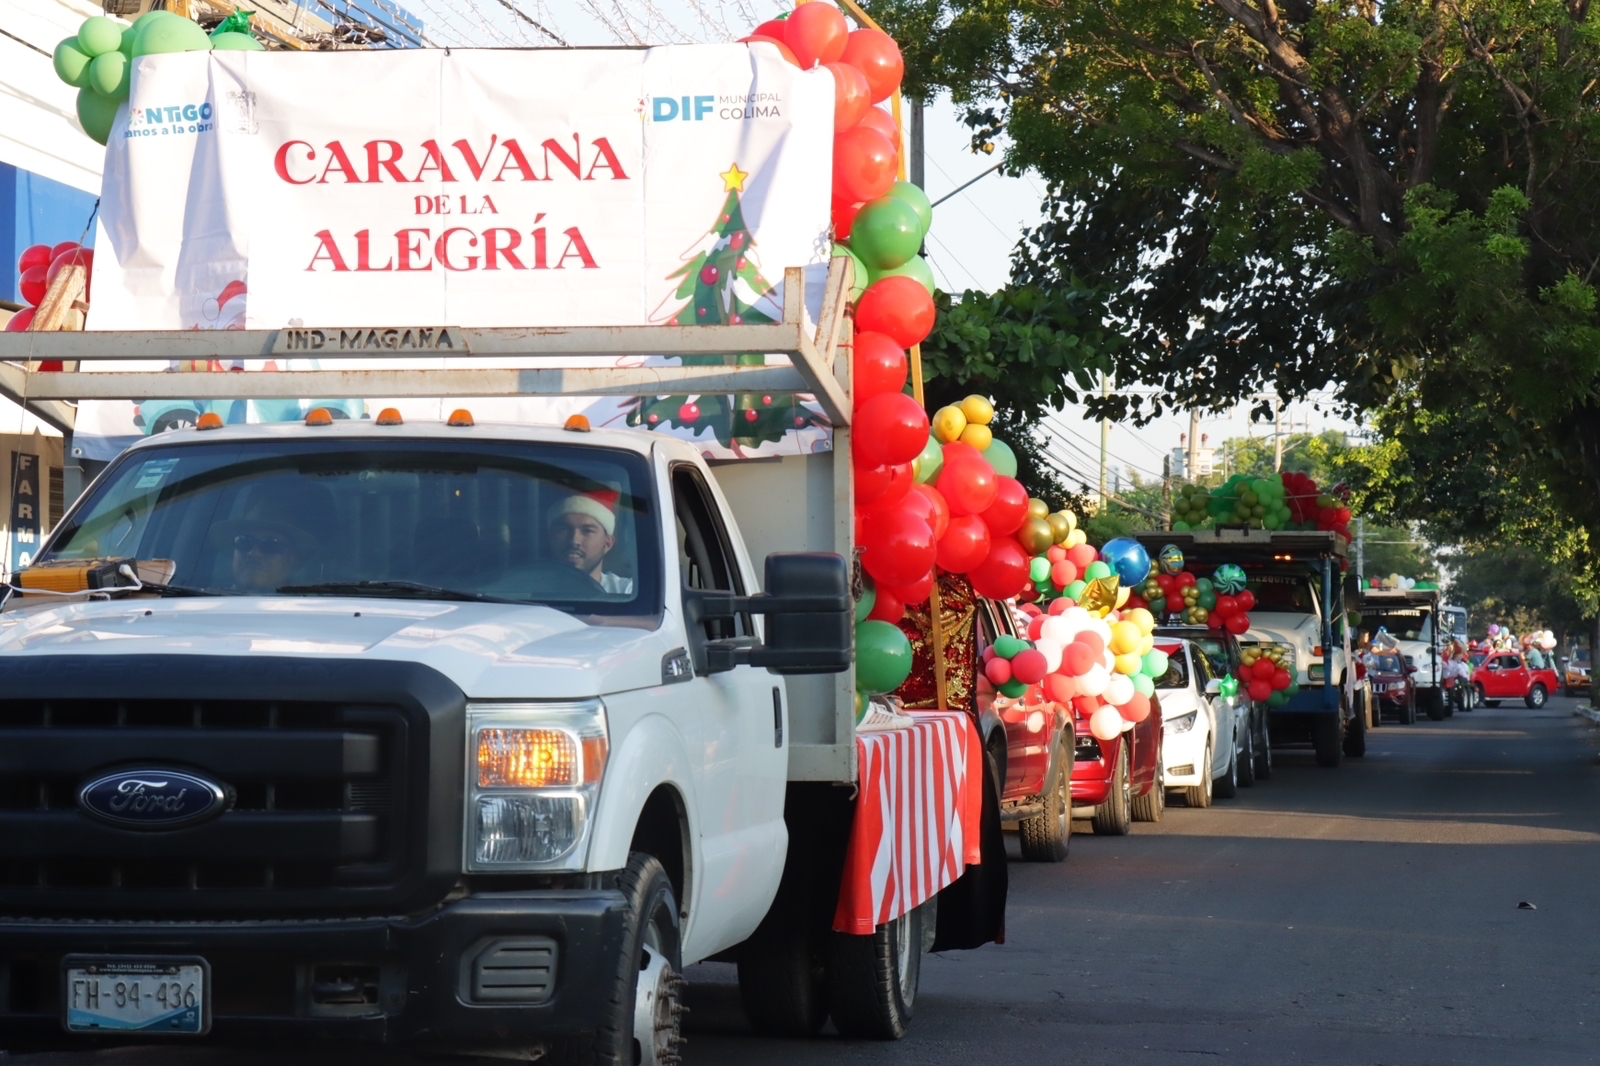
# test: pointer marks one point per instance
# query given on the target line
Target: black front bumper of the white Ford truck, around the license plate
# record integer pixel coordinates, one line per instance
(270, 980)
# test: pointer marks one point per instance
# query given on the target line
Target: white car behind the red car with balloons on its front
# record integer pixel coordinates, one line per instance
(1206, 735)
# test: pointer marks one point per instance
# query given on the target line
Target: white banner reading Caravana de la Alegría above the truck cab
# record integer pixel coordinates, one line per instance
(470, 188)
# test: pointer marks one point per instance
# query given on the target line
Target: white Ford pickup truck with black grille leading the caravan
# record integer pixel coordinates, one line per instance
(450, 734)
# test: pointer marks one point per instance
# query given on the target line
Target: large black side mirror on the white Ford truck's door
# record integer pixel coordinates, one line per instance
(809, 619)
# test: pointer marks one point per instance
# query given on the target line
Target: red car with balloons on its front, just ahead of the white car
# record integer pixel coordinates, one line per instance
(1119, 782)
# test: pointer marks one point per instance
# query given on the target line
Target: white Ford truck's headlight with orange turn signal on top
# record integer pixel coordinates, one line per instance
(534, 775)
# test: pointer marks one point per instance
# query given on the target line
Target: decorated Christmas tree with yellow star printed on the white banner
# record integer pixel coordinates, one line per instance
(722, 284)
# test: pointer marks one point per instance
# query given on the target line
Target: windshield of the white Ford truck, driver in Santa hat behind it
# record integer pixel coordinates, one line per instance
(498, 521)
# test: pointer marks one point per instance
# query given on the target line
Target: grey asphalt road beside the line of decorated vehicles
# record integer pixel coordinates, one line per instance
(1366, 915)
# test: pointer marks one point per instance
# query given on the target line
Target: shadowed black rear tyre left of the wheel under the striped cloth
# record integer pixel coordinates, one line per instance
(783, 979)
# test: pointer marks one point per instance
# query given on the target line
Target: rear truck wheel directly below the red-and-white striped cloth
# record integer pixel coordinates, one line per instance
(873, 980)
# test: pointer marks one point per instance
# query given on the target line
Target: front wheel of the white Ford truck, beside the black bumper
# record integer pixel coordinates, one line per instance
(647, 995)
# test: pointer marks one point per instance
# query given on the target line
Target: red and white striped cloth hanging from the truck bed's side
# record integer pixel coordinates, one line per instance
(918, 811)
